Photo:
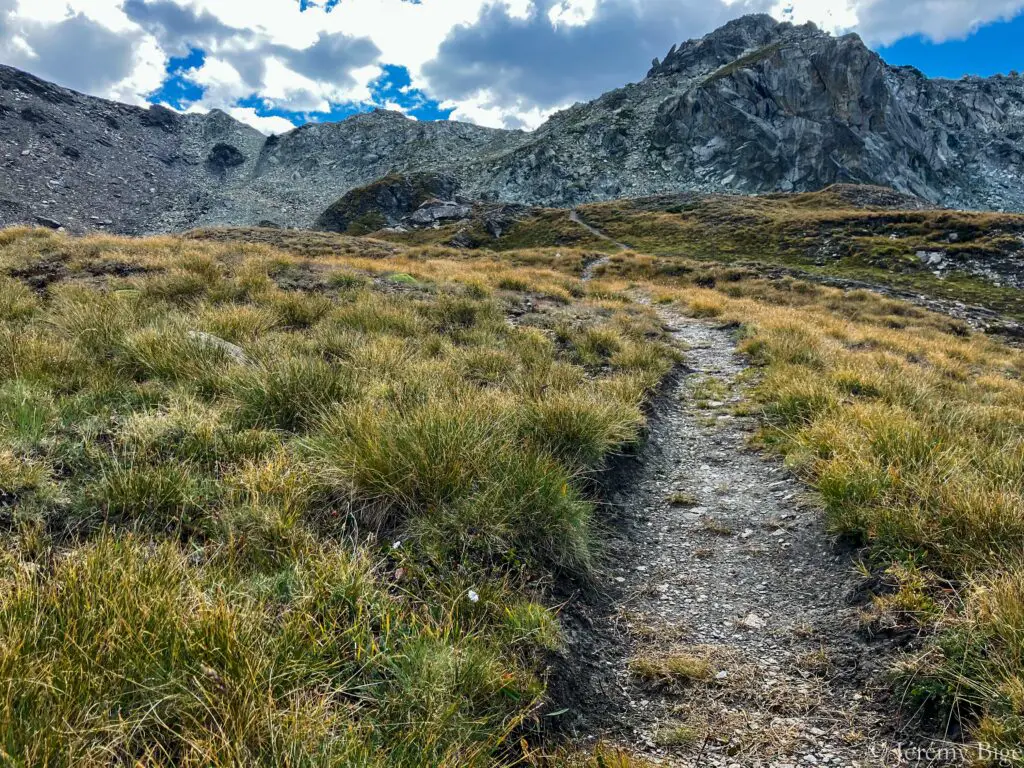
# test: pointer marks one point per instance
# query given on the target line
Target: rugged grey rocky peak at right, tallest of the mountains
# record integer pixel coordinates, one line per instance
(760, 106)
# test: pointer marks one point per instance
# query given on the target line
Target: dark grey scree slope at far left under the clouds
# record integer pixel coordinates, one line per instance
(88, 163)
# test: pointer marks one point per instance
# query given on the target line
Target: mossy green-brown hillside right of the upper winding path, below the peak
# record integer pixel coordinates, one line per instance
(827, 234)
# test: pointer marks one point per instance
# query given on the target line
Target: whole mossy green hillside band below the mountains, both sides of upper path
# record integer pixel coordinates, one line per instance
(847, 233)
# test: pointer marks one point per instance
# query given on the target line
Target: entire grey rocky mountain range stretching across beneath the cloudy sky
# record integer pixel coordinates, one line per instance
(757, 106)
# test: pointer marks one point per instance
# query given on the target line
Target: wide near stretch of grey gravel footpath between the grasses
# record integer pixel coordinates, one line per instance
(739, 642)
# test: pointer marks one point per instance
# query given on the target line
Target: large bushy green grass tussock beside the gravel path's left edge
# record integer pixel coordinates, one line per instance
(461, 462)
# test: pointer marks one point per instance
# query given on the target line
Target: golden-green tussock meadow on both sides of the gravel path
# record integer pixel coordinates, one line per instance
(280, 498)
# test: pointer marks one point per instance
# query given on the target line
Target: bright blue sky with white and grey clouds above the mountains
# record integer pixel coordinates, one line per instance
(277, 64)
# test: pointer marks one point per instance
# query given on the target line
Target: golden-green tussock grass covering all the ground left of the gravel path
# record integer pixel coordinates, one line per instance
(265, 556)
